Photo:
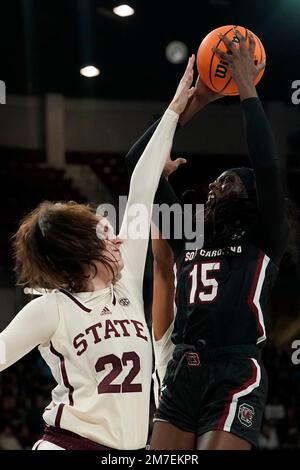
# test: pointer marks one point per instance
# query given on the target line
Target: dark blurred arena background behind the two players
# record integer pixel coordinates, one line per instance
(63, 136)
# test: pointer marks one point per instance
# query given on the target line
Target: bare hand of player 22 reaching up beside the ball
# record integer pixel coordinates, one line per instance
(184, 90)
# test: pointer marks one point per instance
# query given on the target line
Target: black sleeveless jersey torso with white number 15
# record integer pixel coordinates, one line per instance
(222, 295)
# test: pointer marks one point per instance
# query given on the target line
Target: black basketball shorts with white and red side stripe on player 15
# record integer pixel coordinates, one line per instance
(222, 389)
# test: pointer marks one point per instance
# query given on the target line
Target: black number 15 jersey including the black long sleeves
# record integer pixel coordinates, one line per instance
(222, 293)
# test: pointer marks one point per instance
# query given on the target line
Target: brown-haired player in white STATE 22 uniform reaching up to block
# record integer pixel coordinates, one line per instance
(91, 330)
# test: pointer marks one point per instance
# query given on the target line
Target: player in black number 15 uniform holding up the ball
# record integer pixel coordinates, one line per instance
(215, 386)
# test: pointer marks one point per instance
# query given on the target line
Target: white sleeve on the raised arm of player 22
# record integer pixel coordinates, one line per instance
(143, 185)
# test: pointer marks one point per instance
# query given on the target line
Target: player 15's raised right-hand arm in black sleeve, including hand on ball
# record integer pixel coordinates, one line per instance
(262, 149)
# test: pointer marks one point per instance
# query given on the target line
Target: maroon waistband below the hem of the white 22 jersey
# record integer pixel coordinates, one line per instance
(69, 440)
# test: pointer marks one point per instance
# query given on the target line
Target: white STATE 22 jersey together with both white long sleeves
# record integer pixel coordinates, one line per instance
(97, 344)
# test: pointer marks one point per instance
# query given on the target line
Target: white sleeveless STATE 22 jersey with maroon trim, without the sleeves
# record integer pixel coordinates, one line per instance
(101, 358)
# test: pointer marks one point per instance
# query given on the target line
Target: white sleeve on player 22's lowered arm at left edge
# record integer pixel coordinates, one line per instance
(33, 325)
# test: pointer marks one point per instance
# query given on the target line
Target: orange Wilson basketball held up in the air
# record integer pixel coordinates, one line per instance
(214, 71)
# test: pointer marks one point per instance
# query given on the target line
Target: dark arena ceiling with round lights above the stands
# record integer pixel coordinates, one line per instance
(45, 42)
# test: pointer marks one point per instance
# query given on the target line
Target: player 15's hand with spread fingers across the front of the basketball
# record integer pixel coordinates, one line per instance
(241, 60)
